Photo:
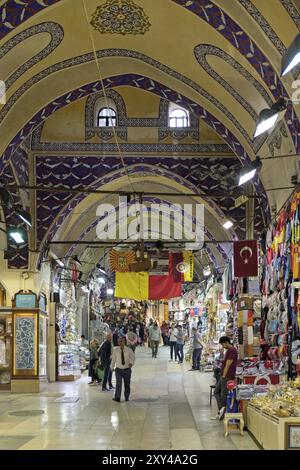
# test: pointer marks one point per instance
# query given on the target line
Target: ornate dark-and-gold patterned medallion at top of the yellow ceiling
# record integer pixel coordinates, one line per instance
(120, 17)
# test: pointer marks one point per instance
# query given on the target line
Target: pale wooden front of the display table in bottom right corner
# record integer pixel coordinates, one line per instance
(271, 432)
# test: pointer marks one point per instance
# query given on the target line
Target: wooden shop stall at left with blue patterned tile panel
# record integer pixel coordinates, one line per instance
(23, 343)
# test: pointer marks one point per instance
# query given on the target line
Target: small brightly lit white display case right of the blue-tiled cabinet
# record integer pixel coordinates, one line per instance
(68, 361)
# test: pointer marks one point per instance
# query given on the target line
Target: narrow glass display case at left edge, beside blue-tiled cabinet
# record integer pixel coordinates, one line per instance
(5, 350)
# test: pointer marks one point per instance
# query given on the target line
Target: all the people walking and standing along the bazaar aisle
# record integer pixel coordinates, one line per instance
(117, 353)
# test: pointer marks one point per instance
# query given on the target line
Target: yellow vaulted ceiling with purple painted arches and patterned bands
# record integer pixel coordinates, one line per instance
(220, 60)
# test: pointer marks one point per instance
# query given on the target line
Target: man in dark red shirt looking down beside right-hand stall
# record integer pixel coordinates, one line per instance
(228, 372)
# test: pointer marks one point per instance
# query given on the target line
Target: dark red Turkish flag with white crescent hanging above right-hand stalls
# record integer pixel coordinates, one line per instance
(245, 258)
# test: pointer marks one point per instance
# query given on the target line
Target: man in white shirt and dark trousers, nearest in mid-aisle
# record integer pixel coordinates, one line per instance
(122, 360)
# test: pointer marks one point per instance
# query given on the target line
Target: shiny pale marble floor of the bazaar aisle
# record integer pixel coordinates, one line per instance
(169, 409)
